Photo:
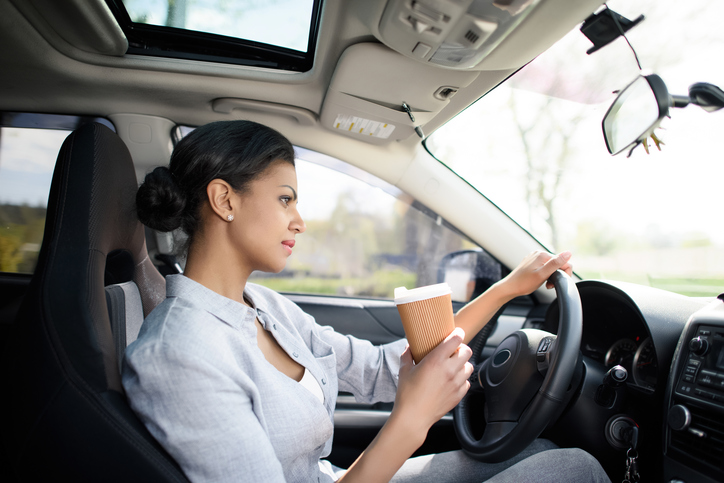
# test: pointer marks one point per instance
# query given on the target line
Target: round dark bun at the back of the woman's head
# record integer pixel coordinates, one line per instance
(159, 201)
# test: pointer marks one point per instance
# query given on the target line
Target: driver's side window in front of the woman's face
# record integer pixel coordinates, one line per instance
(365, 237)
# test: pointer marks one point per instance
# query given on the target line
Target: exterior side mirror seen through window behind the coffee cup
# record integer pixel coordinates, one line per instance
(469, 273)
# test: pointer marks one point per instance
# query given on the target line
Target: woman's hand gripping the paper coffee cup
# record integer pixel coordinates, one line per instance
(429, 390)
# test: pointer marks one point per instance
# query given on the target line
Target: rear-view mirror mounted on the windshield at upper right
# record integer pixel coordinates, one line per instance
(636, 112)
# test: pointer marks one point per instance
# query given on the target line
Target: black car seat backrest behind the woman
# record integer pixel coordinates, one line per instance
(65, 415)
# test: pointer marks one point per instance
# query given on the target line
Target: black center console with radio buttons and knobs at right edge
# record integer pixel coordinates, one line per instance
(694, 432)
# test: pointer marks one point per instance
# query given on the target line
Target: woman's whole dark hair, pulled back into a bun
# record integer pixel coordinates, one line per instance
(237, 152)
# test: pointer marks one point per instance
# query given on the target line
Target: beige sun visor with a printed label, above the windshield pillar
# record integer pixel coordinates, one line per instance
(373, 88)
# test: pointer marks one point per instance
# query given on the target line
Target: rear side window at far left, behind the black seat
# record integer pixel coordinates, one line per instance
(29, 145)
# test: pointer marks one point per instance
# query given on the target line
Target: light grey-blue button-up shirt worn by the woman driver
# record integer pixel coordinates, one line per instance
(202, 387)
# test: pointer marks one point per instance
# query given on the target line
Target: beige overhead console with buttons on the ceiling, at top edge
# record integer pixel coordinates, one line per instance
(478, 34)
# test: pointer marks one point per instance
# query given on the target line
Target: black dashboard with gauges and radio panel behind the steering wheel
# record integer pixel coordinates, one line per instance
(674, 393)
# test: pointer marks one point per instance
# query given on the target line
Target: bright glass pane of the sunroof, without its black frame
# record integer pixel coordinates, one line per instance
(283, 23)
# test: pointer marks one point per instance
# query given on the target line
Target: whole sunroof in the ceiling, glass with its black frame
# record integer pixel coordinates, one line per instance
(278, 34)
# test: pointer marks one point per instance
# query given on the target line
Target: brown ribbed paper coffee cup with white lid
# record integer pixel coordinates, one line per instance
(427, 317)
